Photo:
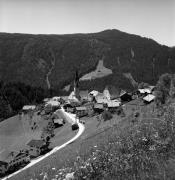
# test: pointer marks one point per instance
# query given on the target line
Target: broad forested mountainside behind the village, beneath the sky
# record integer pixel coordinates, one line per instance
(50, 61)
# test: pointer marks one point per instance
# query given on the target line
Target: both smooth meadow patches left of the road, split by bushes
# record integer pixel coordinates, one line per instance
(16, 132)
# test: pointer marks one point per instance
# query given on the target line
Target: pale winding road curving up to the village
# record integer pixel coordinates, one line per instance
(35, 161)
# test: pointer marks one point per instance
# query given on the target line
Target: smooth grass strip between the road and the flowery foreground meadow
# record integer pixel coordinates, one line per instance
(95, 134)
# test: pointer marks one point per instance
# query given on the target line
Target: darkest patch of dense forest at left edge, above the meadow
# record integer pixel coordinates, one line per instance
(13, 96)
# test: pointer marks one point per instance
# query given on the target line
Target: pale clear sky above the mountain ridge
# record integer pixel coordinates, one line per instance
(149, 18)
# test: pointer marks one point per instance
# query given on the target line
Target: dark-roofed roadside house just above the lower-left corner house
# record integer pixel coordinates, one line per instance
(37, 147)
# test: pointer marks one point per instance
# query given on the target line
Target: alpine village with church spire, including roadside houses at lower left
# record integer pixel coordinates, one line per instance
(82, 103)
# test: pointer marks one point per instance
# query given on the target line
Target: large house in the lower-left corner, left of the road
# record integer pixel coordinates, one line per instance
(13, 160)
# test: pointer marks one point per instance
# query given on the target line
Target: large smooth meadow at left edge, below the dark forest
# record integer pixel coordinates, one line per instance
(15, 132)
